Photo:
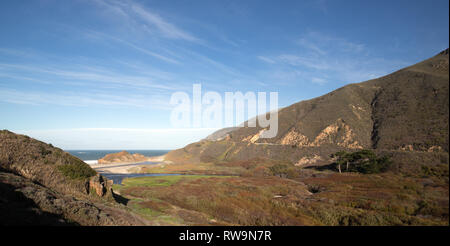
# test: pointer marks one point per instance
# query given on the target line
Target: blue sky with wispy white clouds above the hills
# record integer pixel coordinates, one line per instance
(98, 74)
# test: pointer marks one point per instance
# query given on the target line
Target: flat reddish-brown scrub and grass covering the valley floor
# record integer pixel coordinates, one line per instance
(312, 198)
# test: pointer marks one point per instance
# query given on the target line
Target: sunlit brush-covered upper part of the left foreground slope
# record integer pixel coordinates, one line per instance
(43, 164)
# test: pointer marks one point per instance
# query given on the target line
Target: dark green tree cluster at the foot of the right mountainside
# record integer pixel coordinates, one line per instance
(363, 161)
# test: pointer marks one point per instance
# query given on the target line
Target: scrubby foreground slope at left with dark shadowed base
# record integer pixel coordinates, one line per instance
(43, 185)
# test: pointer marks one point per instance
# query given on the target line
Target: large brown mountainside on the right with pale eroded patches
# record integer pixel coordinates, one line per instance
(403, 111)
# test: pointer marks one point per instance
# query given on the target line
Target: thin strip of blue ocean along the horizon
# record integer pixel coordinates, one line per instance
(91, 155)
